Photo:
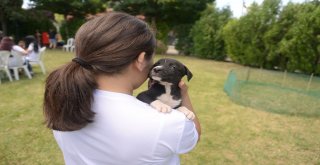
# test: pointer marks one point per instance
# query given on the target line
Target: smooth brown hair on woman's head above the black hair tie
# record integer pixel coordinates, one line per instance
(109, 43)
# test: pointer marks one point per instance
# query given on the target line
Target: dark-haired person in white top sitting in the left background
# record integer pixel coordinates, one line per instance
(33, 49)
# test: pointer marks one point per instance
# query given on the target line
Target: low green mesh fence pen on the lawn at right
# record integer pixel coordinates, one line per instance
(278, 92)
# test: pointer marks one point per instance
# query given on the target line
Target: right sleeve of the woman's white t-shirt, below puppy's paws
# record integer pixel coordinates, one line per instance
(178, 134)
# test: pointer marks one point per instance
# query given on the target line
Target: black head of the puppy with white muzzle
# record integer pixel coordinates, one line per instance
(169, 70)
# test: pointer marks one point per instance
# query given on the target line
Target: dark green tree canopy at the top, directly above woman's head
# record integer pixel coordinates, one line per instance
(172, 12)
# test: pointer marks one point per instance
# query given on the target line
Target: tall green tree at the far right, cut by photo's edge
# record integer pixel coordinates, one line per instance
(302, 41)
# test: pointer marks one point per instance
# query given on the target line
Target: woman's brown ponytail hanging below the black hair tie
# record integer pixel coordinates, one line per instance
(68, 97)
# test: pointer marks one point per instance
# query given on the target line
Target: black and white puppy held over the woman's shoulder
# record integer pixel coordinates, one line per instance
(164, 92)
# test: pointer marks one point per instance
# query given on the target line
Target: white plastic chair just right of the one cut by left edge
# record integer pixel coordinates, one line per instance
(16, 62)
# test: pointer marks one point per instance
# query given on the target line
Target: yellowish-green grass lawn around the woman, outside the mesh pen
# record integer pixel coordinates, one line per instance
(232, 134)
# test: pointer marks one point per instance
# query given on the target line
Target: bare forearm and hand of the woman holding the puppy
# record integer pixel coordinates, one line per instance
(187, 103)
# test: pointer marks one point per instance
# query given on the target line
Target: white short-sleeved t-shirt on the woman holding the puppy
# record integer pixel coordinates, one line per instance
(127, 131)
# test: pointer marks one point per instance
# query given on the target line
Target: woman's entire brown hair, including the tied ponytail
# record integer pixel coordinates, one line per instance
(108, 44)
